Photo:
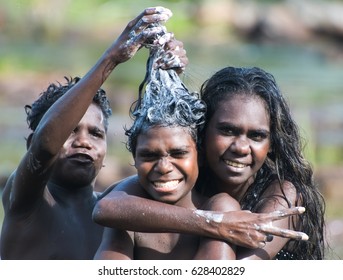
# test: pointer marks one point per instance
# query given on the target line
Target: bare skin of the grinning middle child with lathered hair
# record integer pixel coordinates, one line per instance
(166, 163)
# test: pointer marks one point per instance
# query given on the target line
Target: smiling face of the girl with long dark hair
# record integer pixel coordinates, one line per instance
(237, 142)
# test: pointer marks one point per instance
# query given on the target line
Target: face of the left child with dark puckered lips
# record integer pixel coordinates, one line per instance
(82, 155)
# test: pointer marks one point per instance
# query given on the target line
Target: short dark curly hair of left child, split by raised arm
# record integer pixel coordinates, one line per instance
(36, 111)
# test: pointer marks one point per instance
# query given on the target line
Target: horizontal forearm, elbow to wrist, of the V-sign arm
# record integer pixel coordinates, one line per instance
(133, 213)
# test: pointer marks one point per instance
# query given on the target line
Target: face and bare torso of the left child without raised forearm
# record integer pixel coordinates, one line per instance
(54, 222)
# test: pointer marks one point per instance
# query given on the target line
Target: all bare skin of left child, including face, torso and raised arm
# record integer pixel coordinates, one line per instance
(48, 200)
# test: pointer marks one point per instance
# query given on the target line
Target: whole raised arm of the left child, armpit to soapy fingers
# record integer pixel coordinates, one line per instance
(26, 188)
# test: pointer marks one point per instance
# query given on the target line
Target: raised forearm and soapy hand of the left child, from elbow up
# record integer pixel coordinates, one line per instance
(71, 107)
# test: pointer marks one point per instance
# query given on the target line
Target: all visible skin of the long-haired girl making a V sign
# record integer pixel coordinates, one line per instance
(237, 134)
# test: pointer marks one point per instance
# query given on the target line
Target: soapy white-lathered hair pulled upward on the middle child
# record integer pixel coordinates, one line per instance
(165, 102)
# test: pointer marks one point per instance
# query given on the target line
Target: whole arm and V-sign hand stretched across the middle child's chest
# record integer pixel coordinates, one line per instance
(122, 209)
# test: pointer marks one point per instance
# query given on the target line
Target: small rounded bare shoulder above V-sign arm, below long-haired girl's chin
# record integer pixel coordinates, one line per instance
(222, 202)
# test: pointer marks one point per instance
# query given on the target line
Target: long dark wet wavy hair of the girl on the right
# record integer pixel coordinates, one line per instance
(285, 161)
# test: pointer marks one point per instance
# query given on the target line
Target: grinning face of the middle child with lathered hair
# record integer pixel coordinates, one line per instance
(166, 162)
